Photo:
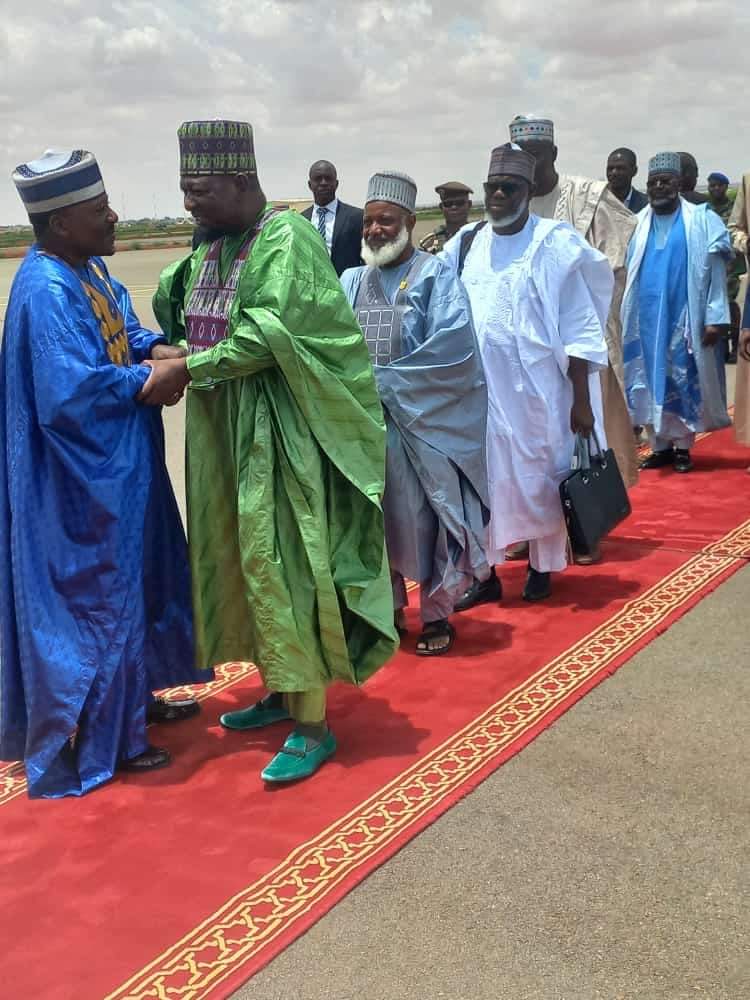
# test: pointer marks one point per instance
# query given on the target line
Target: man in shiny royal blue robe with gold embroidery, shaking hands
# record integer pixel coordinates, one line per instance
(94, 582)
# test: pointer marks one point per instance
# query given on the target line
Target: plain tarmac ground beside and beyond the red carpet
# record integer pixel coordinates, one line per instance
(607, 861)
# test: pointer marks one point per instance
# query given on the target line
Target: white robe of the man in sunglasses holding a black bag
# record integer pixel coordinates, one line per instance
(534, 308)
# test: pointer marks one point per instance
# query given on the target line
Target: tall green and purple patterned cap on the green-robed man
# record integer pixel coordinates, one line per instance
(216, 147)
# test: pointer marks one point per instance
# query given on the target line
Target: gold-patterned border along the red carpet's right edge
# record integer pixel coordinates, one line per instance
(193, 967)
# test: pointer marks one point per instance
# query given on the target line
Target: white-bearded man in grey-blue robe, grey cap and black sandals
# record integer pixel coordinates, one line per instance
(416, 320)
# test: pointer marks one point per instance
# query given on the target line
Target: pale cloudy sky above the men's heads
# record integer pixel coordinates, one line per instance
(425, 86)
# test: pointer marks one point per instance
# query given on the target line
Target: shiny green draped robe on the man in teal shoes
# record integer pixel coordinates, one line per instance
(286, 461)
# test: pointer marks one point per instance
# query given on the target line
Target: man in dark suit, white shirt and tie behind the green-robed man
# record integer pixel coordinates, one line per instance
(339, 225)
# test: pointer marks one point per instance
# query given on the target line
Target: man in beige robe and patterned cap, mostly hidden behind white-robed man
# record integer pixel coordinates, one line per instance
(599, 216)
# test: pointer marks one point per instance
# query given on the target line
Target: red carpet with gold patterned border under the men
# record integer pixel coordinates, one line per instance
(185, 882)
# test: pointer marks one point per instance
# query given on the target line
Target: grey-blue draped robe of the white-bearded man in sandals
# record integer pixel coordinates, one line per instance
(435, 398)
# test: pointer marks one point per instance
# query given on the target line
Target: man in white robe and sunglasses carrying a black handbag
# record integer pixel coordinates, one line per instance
(539, 297)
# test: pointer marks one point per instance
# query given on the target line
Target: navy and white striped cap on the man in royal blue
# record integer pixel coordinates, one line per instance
(58, 179)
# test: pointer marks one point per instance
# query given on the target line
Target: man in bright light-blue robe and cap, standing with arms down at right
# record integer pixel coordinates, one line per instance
(674, 313)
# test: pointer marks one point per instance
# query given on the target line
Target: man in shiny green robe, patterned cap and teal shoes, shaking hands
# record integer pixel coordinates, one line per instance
(285, 450)
